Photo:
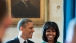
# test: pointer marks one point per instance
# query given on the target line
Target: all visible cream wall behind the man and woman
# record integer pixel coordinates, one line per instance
(55, 14)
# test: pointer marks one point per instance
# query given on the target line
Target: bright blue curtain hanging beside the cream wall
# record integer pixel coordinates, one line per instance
(69, 13)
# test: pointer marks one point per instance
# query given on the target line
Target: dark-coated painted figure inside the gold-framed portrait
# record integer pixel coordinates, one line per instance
(25, 10)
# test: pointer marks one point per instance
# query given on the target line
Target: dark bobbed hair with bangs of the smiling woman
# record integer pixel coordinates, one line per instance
(46, 26)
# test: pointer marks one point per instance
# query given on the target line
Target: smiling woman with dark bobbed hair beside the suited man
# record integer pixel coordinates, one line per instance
(50, 32)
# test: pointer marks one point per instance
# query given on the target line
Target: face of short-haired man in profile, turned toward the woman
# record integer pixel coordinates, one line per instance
(28, 30)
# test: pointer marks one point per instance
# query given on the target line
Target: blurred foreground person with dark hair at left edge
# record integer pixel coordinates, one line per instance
(5, 19)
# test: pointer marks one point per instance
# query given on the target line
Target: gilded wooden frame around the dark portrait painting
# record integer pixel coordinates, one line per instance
(36, 21)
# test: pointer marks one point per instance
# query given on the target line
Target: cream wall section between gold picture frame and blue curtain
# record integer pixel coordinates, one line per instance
(56, 14)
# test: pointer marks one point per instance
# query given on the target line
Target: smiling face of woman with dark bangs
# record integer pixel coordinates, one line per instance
(50, 34)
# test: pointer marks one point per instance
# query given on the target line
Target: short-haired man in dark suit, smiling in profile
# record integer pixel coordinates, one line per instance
(26, 30)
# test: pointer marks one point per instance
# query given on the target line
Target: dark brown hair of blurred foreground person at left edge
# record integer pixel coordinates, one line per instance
(3, 9)
